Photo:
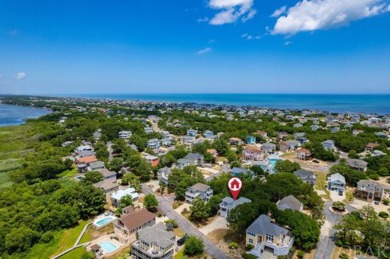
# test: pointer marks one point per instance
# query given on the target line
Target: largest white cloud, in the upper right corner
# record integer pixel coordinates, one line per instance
(311, 15)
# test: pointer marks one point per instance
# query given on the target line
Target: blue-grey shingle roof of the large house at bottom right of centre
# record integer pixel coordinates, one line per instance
(263, 225)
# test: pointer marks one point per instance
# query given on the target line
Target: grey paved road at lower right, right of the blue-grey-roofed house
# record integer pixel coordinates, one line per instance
(327, 241)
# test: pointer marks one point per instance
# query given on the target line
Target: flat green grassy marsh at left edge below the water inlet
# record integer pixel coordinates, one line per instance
(15, 143)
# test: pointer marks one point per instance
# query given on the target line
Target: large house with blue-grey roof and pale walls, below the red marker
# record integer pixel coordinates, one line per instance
(262, 234)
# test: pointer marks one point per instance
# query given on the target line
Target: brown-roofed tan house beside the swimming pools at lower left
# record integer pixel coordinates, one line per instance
(127, 225)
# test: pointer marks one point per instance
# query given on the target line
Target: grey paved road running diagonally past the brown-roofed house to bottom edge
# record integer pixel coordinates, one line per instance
(165, 204)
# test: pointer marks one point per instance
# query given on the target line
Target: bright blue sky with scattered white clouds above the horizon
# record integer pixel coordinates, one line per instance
(217, 46)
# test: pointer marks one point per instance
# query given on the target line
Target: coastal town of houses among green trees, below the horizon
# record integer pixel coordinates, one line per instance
(315, 184)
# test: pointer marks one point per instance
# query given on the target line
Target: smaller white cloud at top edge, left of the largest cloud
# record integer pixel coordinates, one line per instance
(231, 11)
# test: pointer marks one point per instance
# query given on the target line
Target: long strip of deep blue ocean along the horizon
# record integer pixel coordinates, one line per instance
(379, 104)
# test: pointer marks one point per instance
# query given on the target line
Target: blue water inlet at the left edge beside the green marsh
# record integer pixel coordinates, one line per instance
(15, 115)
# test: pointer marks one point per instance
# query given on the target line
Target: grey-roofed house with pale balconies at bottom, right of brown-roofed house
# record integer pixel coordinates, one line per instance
(154, 242)
